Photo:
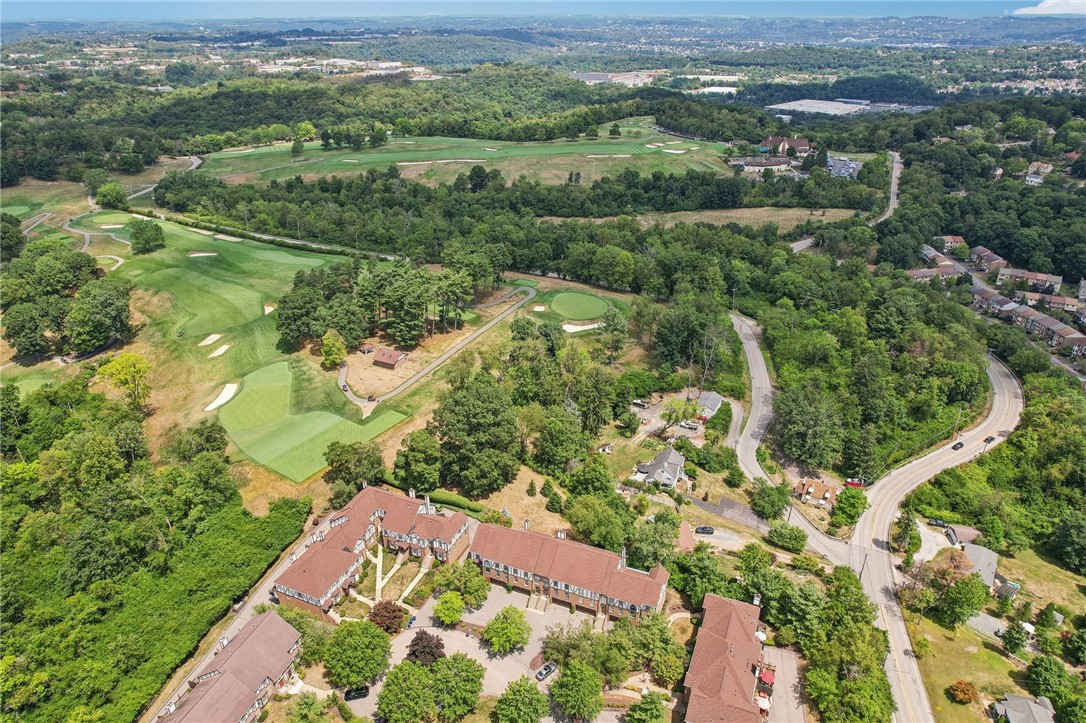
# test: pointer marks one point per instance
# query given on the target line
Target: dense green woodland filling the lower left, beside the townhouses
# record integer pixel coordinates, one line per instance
(102, 544)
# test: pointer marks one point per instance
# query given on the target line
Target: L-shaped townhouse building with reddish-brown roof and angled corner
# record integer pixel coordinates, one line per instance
(330, 563)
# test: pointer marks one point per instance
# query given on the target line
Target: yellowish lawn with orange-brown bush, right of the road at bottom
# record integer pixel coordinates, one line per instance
(965, 656)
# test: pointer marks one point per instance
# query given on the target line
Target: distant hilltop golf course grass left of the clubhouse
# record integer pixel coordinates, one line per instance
(439, 159)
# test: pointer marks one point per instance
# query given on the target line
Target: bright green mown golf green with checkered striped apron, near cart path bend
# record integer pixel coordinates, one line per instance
(260, 423)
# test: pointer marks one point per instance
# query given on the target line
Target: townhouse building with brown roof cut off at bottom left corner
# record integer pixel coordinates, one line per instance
(243, 677)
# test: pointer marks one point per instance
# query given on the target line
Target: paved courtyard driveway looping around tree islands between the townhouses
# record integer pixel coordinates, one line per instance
(502, 670)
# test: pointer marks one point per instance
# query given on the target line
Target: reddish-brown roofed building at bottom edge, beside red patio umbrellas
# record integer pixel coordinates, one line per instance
(722, 684)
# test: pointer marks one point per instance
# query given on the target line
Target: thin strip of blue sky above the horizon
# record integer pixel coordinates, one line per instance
(190, 10)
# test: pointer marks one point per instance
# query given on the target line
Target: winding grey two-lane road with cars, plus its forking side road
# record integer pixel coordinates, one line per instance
(868, 553)
